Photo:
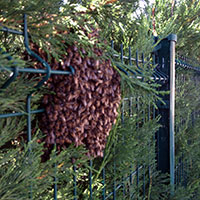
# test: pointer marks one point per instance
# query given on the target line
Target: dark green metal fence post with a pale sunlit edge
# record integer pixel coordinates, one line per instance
(165, 58)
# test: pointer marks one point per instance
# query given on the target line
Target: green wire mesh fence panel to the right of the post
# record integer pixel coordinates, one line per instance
(187, 120)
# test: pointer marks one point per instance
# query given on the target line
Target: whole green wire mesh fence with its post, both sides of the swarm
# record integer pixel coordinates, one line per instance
(138, 145)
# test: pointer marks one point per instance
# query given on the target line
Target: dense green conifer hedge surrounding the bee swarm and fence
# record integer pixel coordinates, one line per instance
(131, 142)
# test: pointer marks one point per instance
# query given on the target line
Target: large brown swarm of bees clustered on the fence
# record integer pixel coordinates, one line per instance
(84, 106)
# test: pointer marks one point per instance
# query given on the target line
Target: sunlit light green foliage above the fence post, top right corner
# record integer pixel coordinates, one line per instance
(181, 18)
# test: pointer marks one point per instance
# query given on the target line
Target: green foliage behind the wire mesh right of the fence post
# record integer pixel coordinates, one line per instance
(187, 135)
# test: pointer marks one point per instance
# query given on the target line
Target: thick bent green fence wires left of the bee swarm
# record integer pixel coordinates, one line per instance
(16, 72)
